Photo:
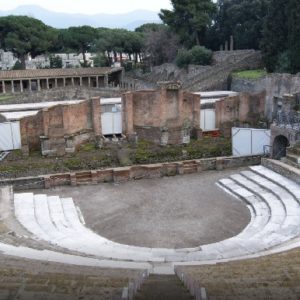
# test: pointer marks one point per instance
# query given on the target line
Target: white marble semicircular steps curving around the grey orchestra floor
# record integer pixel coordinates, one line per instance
(272, 199)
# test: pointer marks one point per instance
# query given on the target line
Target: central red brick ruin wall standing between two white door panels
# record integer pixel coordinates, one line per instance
(163, 116)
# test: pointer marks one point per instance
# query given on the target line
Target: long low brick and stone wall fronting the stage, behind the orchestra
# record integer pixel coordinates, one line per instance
(135, 172)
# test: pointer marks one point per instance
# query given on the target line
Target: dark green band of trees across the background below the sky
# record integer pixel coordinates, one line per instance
(188, 30)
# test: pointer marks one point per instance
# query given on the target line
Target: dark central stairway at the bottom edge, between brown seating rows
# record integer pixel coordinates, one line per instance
(163, 287)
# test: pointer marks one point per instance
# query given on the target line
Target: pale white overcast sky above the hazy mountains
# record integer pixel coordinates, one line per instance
(90, 6)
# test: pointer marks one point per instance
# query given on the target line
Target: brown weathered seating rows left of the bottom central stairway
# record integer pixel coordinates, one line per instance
(47, 285)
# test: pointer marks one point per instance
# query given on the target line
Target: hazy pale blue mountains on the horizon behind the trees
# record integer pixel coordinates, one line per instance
(128, 21)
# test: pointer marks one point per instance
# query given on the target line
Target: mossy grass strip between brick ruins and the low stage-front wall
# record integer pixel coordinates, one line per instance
(113, 155)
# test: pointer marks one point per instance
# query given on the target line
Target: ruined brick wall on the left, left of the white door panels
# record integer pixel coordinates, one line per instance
(56, 124)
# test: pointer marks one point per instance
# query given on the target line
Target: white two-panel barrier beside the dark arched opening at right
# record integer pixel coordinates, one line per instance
(249, 141)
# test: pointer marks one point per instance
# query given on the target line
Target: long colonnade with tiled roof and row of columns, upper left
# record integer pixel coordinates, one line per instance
(44, 79)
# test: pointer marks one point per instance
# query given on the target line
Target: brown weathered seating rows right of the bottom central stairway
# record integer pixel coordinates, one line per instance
(270, 277)
